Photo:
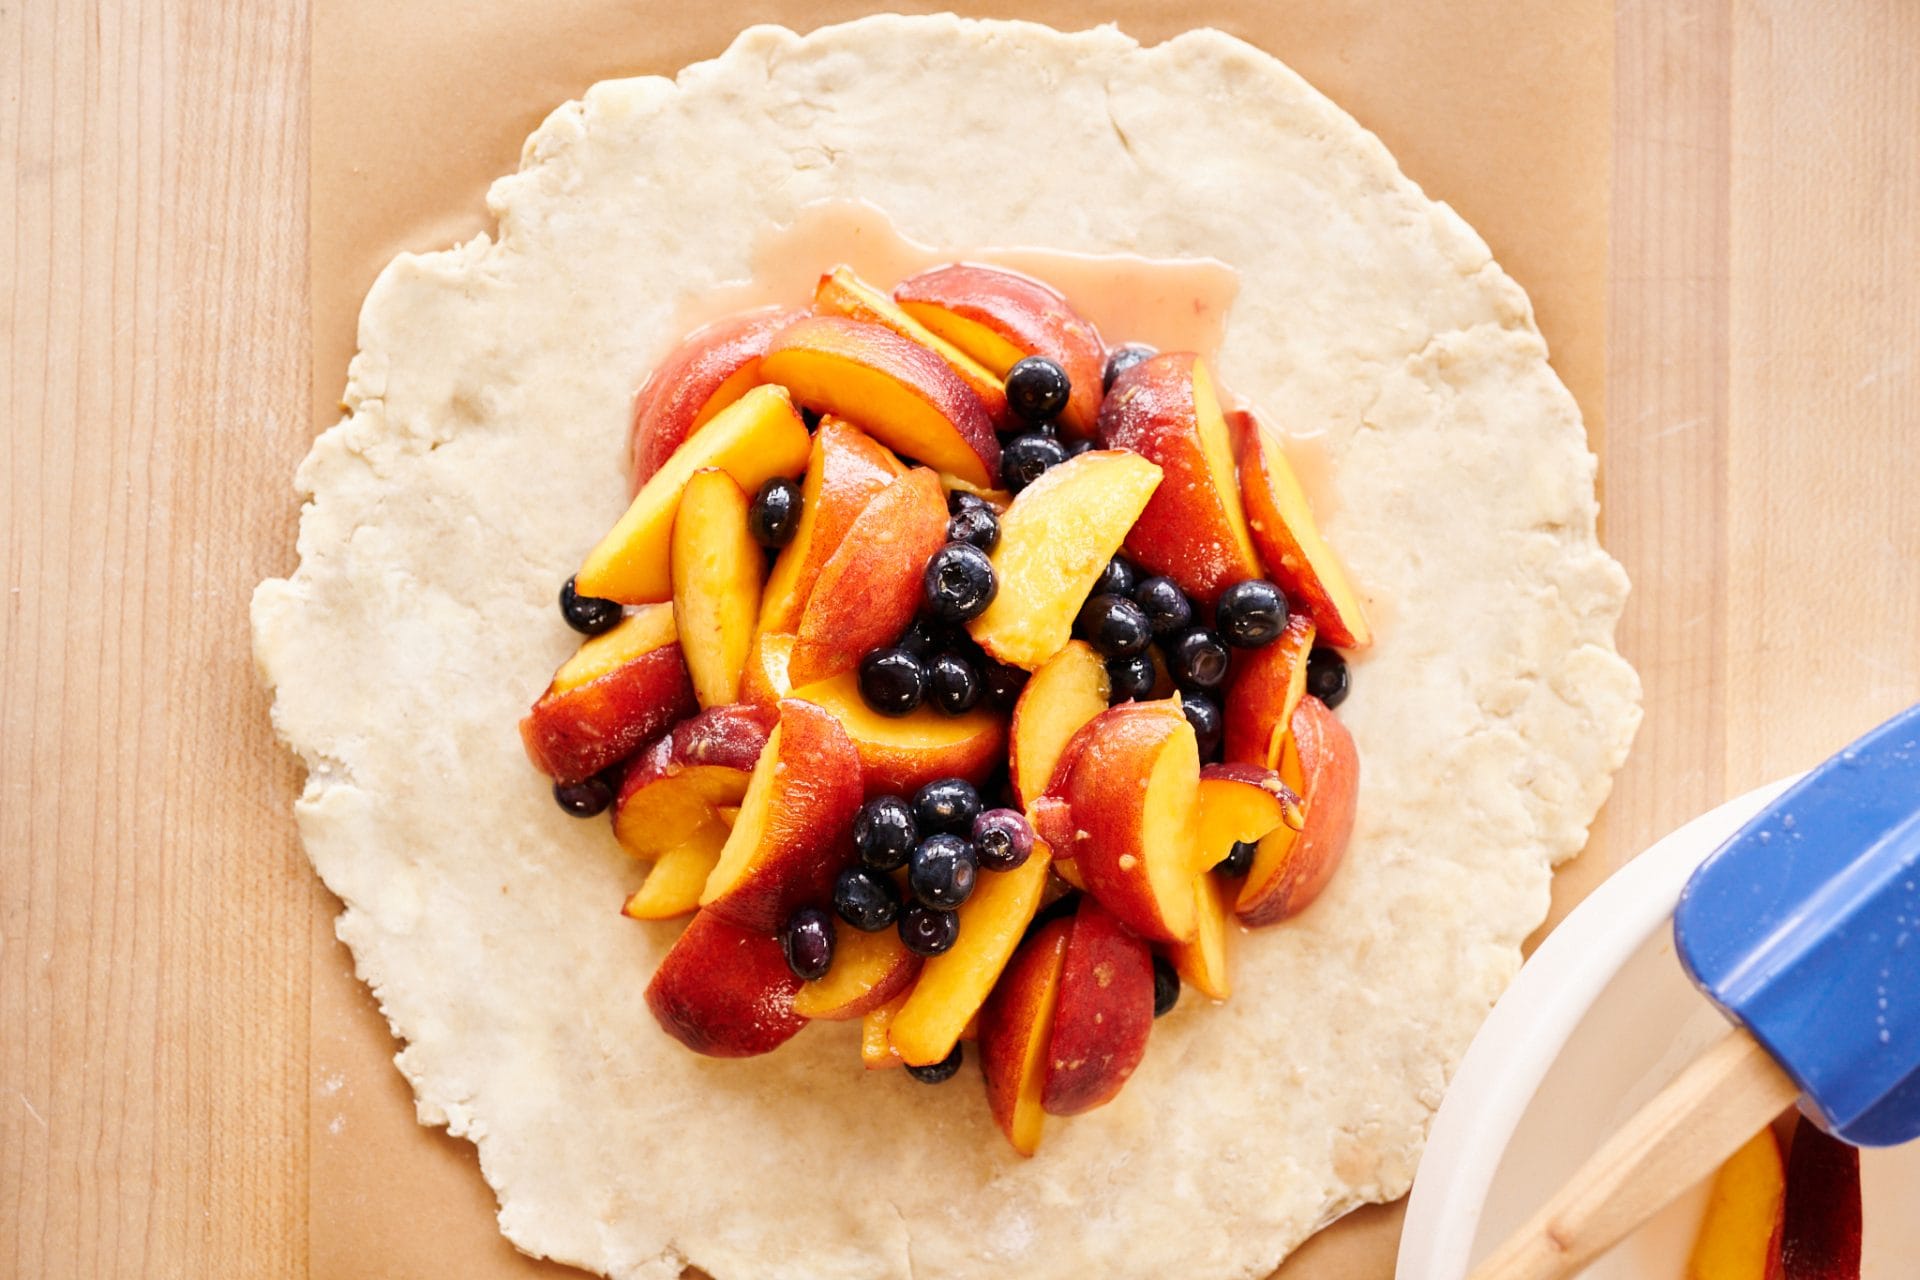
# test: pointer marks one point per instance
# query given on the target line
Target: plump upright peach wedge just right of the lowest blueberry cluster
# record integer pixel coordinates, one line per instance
(1132, 794)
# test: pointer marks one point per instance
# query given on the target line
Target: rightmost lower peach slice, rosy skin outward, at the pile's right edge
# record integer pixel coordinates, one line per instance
(1322, 767)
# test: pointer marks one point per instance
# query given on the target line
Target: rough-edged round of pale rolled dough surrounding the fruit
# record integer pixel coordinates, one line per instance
(483, 456)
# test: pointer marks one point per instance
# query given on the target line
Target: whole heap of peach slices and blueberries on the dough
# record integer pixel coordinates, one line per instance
(961, 676)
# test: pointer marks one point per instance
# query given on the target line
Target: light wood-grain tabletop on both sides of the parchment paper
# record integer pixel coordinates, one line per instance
(156, 920)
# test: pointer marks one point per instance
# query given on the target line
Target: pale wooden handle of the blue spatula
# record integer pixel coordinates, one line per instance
(1719, 1102)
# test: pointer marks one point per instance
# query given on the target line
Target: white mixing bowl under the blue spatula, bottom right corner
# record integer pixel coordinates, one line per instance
(1596, 1024)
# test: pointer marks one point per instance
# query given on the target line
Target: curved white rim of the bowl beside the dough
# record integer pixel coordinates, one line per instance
(1522, 1039)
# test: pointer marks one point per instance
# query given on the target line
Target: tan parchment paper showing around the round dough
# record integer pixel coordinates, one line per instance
(1502, 108)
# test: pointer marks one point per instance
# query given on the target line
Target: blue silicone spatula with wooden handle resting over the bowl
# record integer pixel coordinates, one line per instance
(1806, 932)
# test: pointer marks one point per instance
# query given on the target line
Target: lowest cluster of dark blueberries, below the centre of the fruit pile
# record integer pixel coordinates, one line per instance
(944, 838)
